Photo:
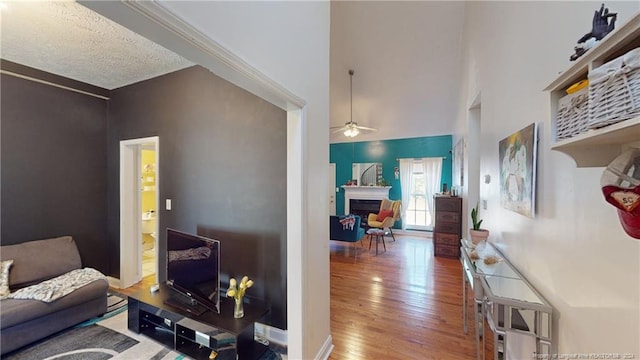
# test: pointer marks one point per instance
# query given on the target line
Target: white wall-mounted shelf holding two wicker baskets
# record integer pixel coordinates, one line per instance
(597, 148)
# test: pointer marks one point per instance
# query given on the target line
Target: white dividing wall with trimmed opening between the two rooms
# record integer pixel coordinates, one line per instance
(289, 43)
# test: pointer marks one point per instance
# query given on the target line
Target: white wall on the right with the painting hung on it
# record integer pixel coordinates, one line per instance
(574, 251)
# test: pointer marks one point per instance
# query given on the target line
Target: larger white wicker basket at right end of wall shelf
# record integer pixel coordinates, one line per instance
(614, 91)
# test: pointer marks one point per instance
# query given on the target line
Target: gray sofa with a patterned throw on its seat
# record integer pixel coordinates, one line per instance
(25, 321)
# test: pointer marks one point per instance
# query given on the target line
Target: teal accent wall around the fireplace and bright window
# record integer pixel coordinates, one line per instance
(387, 152)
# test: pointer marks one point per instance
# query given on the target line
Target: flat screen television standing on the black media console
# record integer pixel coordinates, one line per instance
(193, 270)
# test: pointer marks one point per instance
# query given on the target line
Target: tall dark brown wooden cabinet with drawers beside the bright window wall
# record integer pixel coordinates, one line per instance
(448, 226)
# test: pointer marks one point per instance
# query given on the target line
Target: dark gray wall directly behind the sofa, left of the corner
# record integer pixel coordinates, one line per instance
(53, 167)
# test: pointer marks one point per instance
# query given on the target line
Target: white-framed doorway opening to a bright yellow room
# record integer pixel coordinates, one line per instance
(139, 215)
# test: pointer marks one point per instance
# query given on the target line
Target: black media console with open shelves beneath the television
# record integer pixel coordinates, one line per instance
(206, 336)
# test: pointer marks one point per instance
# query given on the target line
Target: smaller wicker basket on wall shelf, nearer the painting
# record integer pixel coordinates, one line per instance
(573, 114)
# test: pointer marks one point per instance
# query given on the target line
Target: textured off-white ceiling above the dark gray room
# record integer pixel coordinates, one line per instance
(69, 40)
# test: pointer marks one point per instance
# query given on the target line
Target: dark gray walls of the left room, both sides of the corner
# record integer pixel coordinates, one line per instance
(222, 161)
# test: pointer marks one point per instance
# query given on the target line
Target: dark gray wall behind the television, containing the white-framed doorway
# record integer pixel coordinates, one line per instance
(223, 164)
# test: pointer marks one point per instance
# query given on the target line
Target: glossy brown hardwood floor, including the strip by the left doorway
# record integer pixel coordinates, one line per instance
(402, 304)
